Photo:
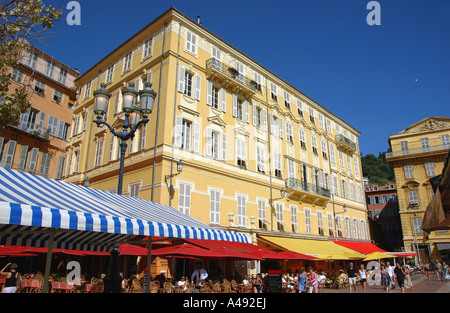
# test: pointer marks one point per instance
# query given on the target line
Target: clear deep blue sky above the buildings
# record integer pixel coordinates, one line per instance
(379, 79)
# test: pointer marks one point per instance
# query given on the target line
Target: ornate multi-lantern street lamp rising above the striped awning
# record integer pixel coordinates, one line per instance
(132, 110)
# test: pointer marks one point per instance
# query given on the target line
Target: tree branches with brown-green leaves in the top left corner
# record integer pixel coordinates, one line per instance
(22, 23)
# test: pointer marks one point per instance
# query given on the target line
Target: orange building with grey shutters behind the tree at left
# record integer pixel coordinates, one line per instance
(38, 143)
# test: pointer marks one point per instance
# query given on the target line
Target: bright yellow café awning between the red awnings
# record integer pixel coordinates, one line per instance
(321, 249)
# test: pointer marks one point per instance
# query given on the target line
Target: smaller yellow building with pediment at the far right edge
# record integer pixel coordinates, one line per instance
(418, 154)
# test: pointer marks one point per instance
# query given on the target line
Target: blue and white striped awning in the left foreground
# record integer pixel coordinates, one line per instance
(86, 218)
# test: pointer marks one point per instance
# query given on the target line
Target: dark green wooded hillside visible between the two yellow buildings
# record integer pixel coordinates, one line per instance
(377, 169)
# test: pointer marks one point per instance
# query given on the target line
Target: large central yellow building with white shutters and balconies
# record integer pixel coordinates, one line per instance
(242, 132)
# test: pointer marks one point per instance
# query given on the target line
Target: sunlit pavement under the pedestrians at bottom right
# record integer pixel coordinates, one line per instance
(421, 284)
